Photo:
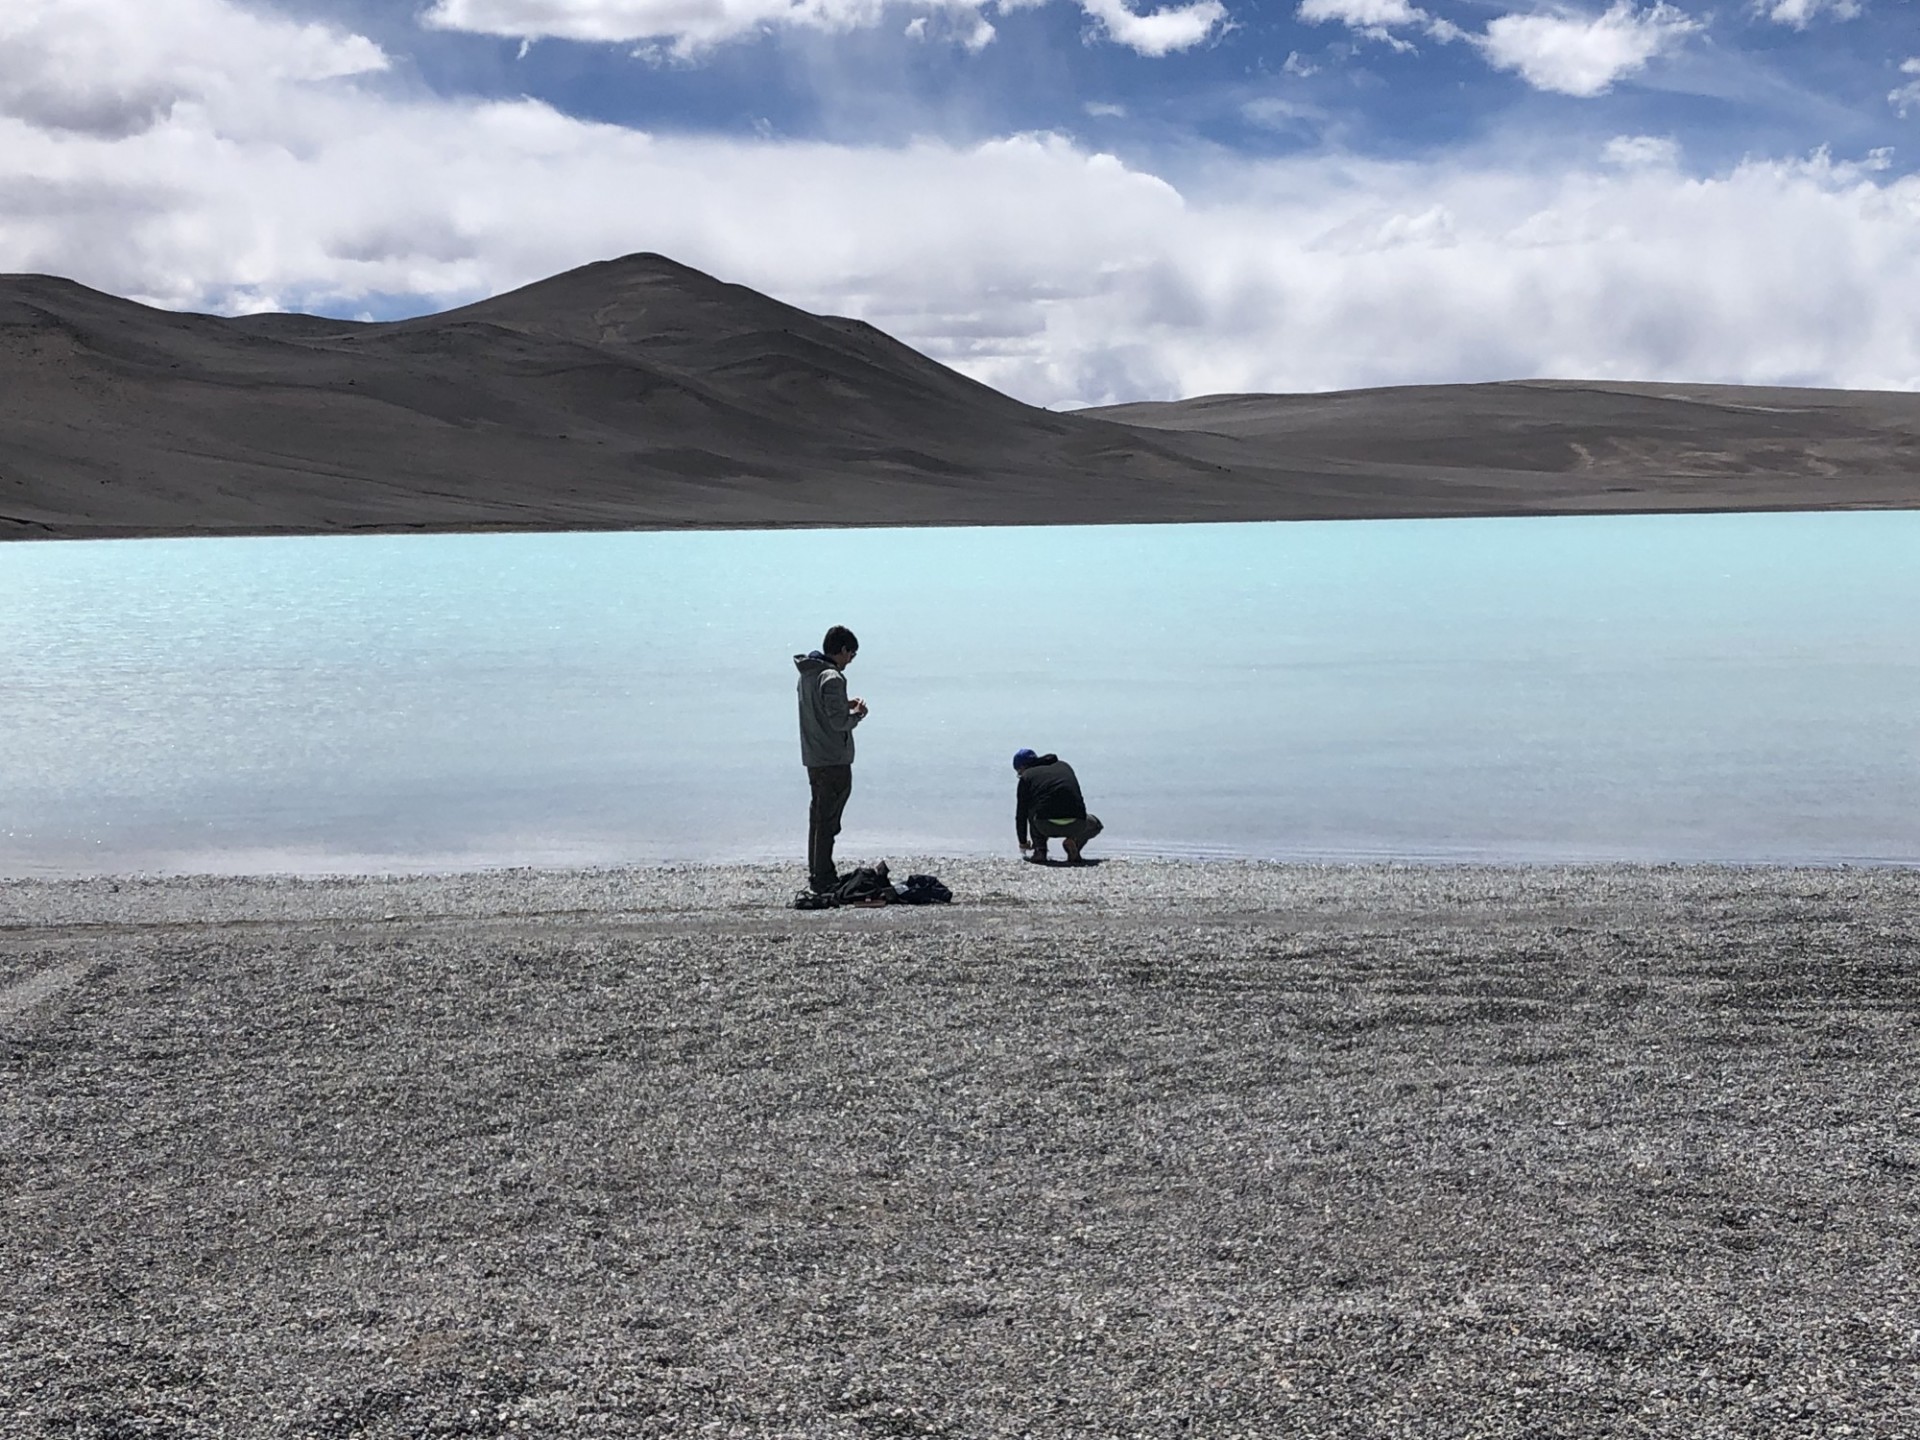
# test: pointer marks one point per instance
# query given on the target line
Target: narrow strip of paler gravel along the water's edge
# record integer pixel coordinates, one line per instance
(698, 890)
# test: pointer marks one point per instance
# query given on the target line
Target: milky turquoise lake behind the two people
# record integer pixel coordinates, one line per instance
(1646, 688)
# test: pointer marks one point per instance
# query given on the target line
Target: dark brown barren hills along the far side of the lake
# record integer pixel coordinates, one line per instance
(644, 395)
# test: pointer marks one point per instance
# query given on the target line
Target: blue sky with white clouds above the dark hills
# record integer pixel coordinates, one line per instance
(1076, 201)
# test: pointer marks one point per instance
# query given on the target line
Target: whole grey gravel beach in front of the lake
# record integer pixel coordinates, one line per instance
(1130, 1151)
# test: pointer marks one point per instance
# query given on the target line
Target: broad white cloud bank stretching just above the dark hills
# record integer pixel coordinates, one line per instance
(1032, 262)
